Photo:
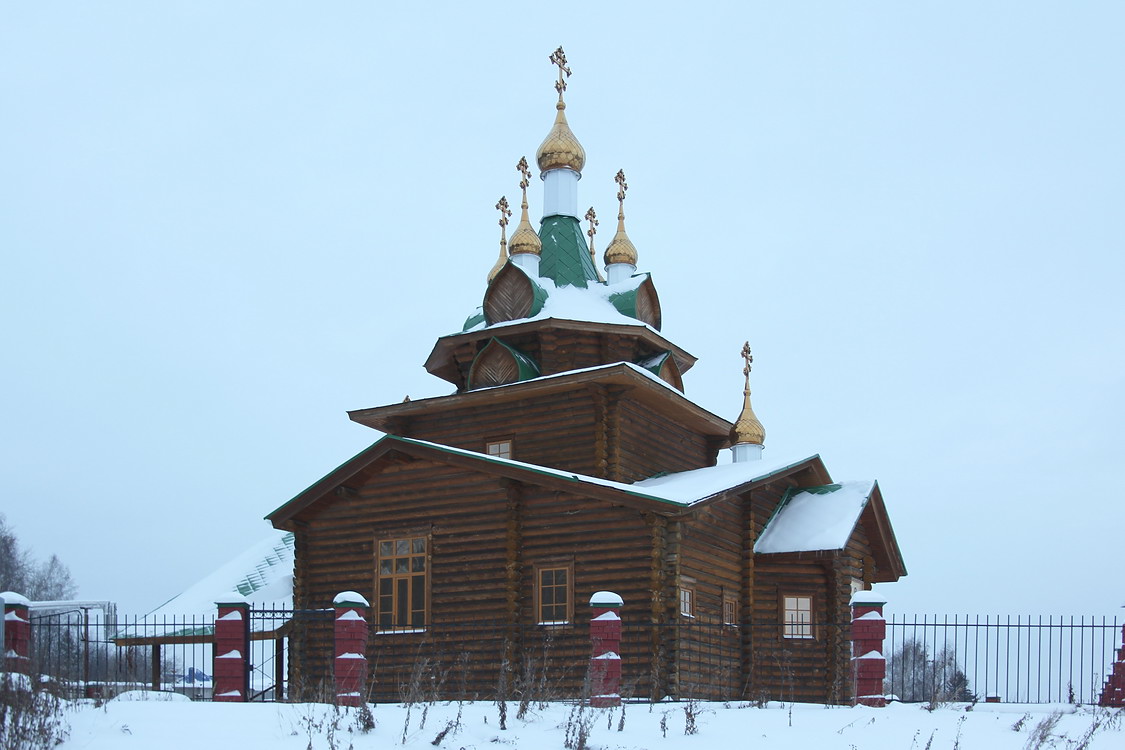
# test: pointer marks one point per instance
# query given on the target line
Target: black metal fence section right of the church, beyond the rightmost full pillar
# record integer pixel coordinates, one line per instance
(1014, 658)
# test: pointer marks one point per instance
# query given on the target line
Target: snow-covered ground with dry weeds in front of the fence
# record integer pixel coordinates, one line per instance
(176, 725)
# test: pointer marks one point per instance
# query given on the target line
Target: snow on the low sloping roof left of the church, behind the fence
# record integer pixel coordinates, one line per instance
(263, 574)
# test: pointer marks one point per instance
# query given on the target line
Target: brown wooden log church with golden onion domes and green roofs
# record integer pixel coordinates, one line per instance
(569, 460)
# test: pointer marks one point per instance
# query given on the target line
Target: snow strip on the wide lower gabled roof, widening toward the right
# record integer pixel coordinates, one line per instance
(681, 489)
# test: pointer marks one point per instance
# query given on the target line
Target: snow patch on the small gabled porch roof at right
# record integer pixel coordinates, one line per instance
(816, 519)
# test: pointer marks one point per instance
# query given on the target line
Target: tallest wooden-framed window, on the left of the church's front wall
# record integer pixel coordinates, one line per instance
(402, 583)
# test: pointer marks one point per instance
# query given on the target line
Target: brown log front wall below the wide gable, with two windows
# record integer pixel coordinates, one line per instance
(487, 537)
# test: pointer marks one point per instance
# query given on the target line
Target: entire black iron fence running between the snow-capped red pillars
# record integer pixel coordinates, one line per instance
(1018, 659)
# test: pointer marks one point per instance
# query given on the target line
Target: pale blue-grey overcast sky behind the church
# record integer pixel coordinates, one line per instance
(224, 224)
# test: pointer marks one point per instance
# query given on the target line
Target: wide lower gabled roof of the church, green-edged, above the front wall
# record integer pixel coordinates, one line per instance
(670, 494)
